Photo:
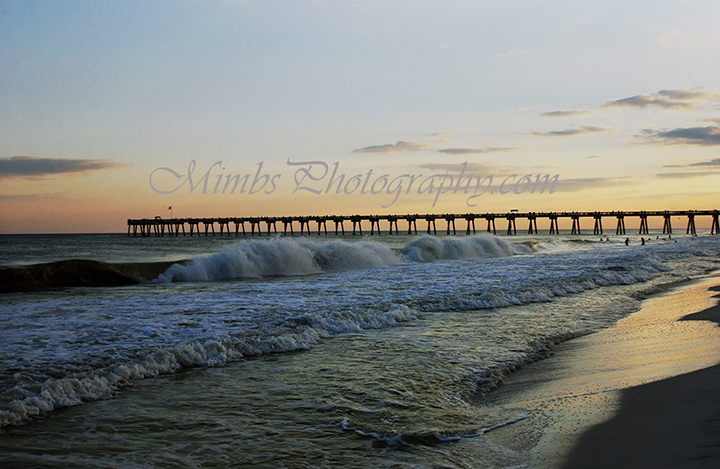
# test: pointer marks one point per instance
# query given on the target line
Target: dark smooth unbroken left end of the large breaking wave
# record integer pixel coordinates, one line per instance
(78, 273)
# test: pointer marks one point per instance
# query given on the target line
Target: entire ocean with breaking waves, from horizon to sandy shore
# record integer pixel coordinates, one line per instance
(313, 351)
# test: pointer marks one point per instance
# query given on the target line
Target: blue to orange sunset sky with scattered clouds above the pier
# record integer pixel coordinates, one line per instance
(112, 110)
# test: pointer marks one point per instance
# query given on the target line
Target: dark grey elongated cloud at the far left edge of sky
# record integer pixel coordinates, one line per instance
(32, 166)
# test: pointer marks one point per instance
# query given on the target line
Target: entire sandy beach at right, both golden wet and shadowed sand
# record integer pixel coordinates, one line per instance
(644, 393)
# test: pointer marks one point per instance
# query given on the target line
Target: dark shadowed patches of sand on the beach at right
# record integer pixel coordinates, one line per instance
(674, 422)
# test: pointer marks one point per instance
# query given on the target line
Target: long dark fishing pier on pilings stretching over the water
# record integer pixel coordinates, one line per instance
(256, 225)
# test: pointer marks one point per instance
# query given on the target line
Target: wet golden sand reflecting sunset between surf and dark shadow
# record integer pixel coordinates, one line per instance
(581, 385)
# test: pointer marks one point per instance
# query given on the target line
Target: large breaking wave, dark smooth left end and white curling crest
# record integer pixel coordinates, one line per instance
(254, 259)
